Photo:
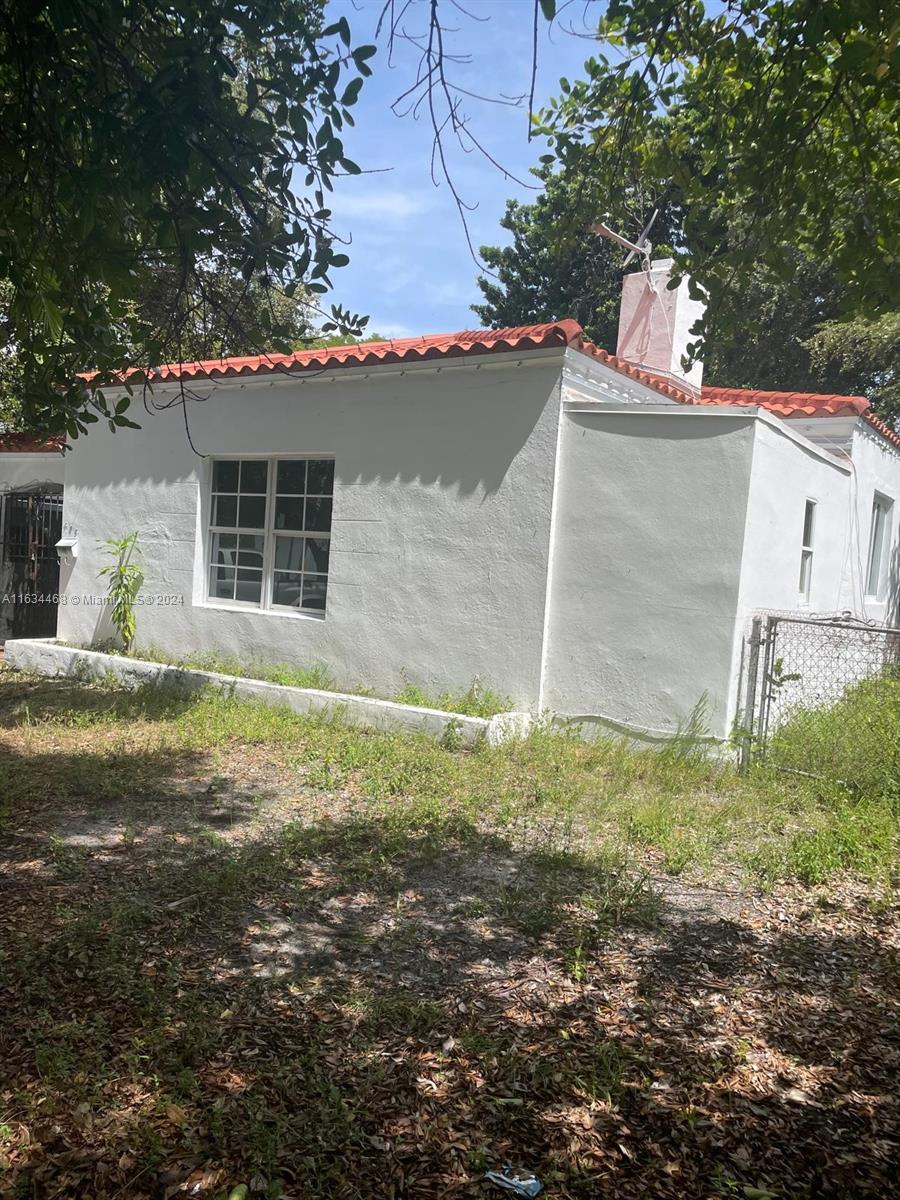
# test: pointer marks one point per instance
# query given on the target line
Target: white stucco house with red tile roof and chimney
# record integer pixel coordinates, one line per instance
(586, 533)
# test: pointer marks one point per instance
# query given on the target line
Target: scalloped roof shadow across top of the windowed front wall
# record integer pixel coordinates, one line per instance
(461, 434)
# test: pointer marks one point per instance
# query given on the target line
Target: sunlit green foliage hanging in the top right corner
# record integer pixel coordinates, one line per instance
(772, 123)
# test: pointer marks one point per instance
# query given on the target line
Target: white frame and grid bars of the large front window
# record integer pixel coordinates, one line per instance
(269, 535)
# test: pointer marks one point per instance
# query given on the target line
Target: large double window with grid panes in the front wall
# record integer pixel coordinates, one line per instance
(271, 533)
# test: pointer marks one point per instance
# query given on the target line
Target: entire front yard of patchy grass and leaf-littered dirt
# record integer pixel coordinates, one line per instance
(403, 953)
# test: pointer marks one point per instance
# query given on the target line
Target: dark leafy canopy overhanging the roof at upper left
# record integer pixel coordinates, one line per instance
(161, 146)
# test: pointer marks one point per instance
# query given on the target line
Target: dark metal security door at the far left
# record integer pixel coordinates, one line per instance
(29, 574)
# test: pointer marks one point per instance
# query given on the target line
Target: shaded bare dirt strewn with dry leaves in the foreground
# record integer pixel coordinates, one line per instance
(236, 979)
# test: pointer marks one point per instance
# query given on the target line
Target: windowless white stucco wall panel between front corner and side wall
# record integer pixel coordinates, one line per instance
(646, 569)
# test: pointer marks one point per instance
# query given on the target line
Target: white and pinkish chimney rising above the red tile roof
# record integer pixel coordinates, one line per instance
(656, 322)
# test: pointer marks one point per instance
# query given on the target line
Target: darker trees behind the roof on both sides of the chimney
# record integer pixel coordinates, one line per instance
(767, 333)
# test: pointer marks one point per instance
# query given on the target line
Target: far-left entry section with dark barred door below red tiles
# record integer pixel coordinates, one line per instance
(32, 475)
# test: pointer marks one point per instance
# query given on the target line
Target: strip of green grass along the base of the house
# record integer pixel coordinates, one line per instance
(551, 793)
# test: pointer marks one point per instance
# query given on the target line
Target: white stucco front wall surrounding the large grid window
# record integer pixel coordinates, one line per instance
(440, 536)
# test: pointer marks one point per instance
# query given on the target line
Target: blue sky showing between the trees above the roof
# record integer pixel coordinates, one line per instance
(411, 269)
